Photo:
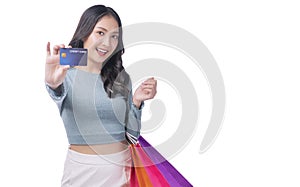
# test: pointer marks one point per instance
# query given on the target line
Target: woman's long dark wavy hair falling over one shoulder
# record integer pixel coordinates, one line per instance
(115, 79)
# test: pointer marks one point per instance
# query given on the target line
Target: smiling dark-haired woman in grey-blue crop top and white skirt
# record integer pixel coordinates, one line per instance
(96, 103)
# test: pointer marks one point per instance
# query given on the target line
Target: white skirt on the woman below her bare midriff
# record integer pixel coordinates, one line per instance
(85, 170)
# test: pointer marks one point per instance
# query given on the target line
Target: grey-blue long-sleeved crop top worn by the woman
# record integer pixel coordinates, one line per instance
(89, 115)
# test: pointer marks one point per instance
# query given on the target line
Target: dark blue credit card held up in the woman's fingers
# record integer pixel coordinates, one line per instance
(73, 56)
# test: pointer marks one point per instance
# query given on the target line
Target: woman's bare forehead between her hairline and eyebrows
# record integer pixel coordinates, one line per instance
(108, 23)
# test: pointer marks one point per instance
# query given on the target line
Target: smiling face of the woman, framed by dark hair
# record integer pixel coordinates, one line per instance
(103, 40)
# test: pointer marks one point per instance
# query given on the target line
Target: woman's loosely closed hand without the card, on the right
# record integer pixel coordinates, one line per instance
(147, 90)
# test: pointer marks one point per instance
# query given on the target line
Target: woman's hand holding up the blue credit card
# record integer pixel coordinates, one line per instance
(54, 72)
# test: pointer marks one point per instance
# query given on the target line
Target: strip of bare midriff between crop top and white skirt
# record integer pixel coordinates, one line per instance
(100, 149)
